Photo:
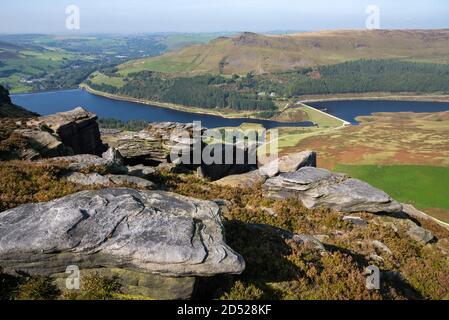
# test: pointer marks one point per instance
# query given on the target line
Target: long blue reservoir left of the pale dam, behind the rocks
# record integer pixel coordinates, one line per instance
(58, 101)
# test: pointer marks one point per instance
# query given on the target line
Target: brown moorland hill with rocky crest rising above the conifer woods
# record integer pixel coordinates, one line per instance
(250, 52)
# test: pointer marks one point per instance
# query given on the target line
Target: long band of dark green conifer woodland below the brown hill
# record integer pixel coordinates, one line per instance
(245, 92)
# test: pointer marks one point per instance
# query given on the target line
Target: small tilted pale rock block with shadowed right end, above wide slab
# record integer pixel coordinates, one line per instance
(289, 163)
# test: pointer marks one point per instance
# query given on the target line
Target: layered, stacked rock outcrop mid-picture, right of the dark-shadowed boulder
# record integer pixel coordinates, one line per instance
(153, 145)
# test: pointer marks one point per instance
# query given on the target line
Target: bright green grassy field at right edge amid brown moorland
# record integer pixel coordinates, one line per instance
(426, 187)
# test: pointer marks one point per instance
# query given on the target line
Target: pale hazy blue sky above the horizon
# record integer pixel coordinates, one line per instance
(133, 16)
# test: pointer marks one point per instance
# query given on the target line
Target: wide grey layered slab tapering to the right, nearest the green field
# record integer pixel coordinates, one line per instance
(321, 188)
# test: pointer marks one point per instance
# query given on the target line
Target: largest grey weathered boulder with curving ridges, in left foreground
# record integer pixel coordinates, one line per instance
(151, 232)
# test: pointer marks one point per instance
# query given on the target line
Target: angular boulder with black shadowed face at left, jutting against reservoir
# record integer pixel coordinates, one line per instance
(77, 129)
